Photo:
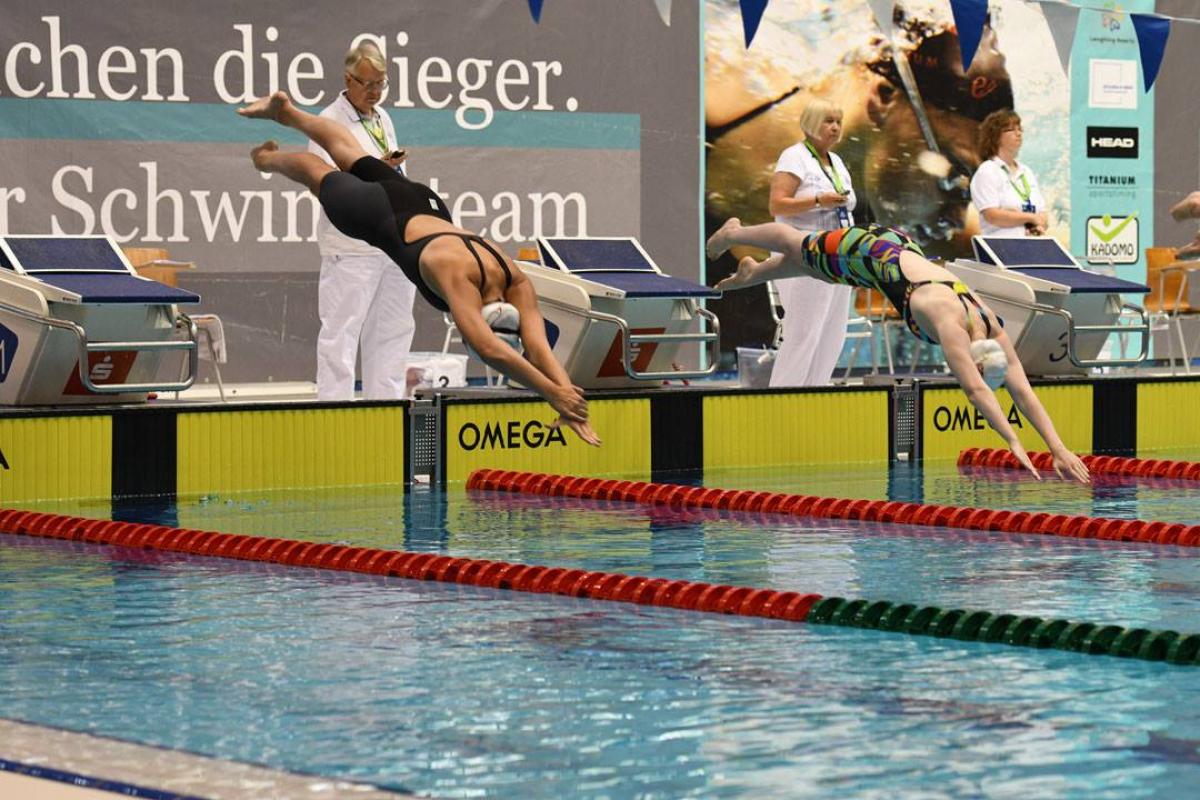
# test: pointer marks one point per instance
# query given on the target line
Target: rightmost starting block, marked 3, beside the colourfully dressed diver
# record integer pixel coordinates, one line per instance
(1058, 315)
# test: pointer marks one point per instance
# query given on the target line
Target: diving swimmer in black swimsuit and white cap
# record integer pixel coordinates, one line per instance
(455, 272)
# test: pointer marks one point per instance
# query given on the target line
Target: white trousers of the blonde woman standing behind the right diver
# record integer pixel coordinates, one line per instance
(815, 316)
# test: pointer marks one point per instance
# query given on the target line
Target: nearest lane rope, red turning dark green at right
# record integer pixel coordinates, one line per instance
(687, 596)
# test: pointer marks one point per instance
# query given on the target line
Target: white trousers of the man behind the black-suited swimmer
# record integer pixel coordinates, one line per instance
(363, 302)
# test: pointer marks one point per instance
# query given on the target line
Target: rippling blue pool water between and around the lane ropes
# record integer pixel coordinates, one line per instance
(457, 691)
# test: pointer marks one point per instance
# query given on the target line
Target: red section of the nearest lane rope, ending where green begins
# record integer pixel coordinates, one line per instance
(687, 596)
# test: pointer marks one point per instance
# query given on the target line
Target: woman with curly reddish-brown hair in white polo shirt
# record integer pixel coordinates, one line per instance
(1005, 191)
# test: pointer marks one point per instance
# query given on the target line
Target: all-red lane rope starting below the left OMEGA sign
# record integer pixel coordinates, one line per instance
(801, 506)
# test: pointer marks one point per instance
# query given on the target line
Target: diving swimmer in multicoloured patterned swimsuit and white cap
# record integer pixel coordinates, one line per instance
(935, 306)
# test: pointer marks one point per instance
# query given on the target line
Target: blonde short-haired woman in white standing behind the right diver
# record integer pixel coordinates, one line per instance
(812, 190)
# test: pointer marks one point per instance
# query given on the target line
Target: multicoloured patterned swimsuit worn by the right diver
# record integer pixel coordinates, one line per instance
(871, 257)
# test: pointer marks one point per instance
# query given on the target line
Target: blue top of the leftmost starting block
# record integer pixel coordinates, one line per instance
(91, 267)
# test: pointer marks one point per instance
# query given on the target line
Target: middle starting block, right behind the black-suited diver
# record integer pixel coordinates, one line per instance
(614, 318)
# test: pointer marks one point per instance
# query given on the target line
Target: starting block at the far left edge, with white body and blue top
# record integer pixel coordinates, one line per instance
(79, 326)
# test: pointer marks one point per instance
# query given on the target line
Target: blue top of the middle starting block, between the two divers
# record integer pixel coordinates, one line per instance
(620, 263)
